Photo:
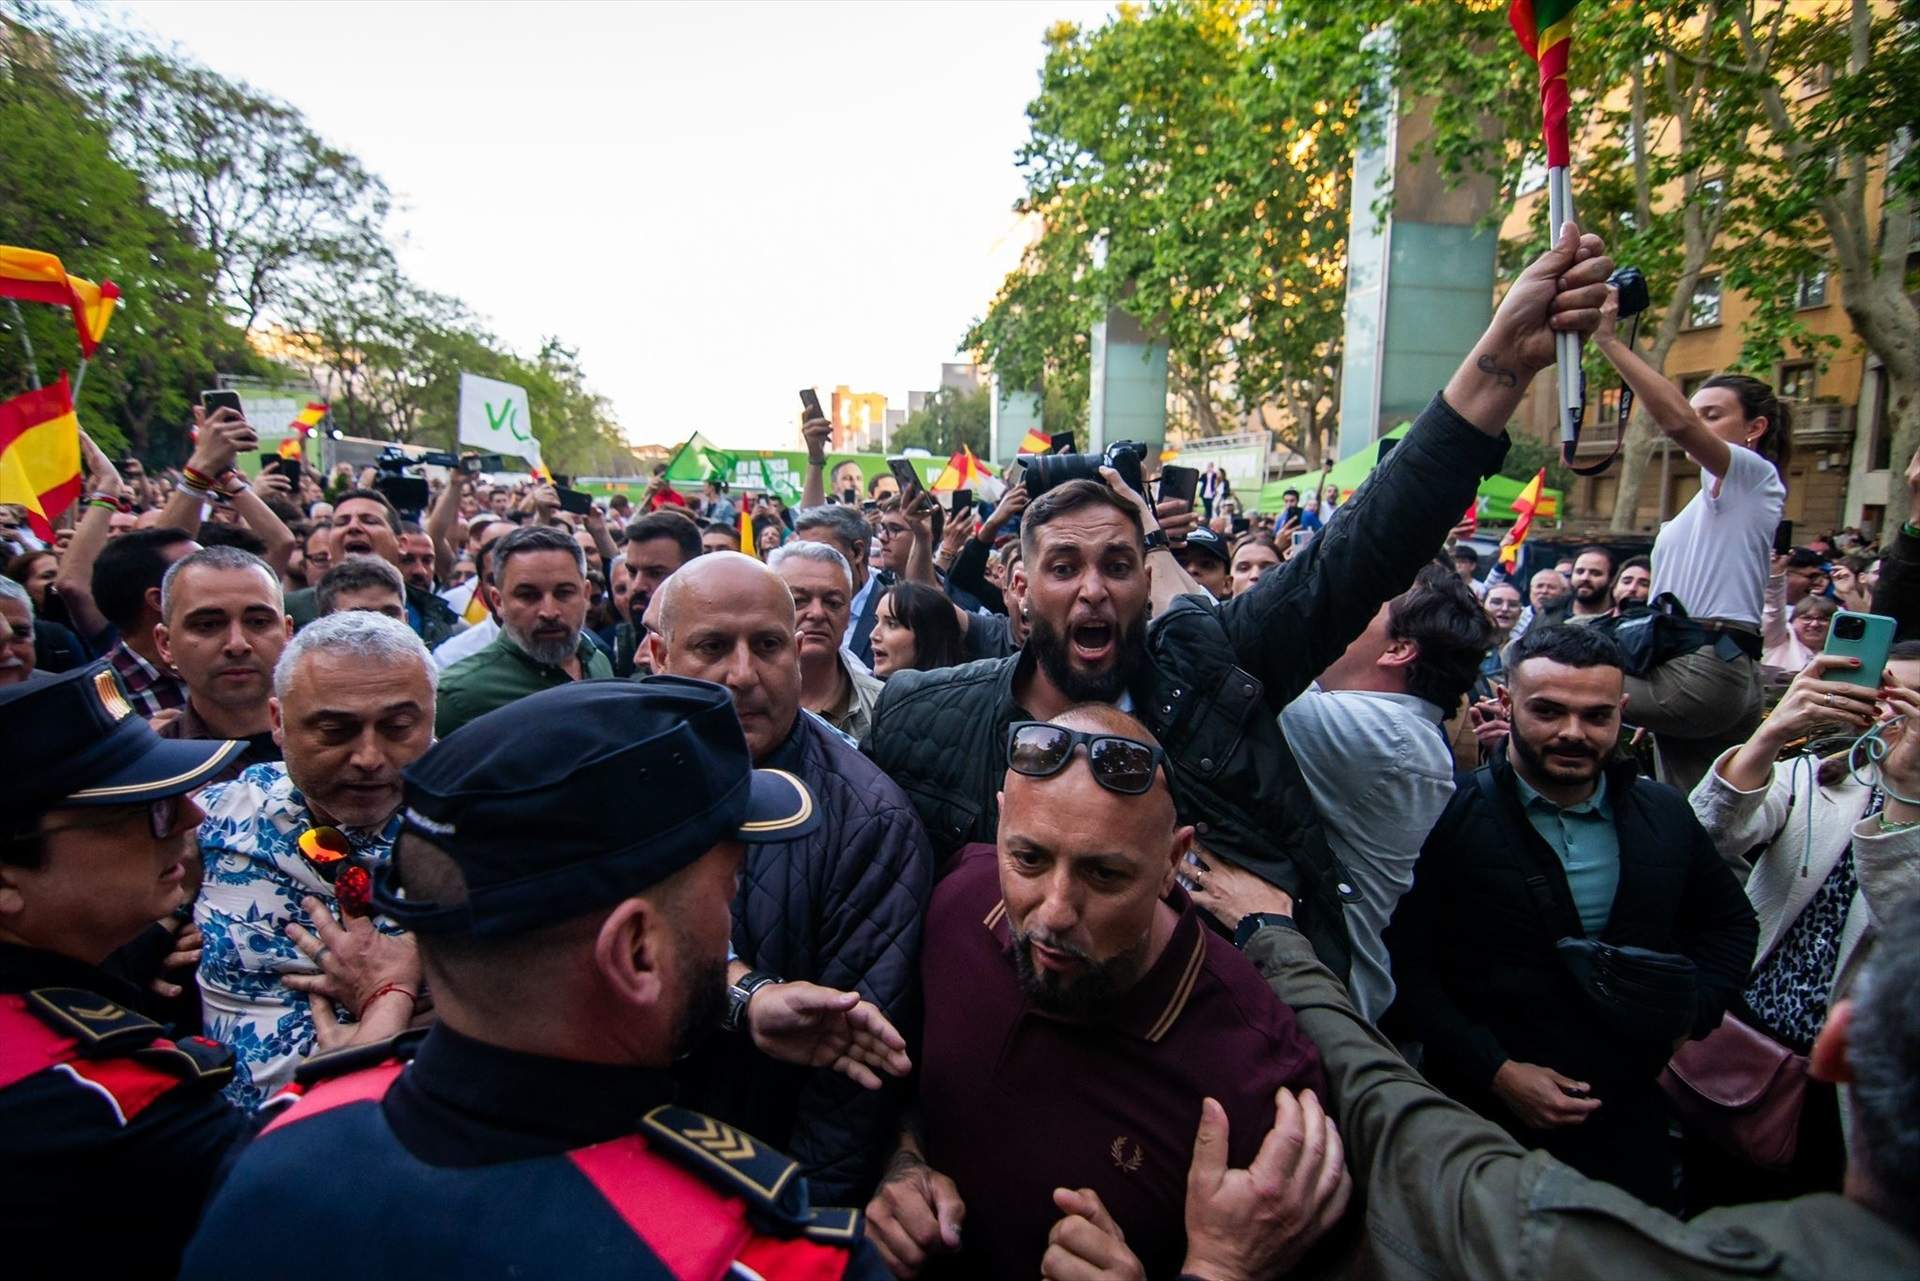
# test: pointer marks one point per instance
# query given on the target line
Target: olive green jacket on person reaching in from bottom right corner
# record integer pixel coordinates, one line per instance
(1452, 1196)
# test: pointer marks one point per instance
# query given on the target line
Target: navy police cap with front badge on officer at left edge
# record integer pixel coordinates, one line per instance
(76, 740)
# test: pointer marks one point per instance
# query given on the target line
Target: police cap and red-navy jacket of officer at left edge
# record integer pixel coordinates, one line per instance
(110, 1130)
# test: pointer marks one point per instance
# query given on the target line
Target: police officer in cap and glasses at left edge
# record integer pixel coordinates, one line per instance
(110, 1132)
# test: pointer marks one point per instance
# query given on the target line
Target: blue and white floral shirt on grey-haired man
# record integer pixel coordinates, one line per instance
(254, 882)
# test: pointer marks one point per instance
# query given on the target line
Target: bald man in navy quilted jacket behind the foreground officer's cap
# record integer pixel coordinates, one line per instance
(842, 907)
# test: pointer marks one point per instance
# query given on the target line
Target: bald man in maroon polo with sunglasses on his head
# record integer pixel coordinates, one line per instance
(1078, 1013)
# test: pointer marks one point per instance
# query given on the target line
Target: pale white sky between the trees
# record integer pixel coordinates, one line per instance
(715, 203)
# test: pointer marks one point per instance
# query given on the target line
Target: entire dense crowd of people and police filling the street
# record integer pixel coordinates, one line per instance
(1080, 886)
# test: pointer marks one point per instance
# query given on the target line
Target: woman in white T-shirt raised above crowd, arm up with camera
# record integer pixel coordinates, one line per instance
(1714, 558)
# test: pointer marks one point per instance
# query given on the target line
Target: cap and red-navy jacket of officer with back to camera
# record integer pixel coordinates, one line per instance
(444, 1155)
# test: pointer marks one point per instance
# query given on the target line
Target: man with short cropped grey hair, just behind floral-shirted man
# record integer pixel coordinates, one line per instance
(222, 631)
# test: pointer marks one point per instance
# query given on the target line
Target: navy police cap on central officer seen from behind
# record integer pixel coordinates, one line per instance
(583, 796)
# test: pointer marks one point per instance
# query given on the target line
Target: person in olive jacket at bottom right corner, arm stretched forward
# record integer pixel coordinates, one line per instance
(1451, 1194)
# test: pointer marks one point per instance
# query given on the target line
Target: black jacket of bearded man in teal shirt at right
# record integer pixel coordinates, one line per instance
(1474, 952)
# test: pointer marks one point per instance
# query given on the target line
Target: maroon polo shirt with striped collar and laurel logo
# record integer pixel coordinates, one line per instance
(1019, 1103)
